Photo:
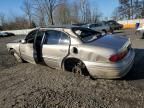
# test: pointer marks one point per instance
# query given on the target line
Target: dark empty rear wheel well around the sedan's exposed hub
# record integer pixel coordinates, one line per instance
(70, 63)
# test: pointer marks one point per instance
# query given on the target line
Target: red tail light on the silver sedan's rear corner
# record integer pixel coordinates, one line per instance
(118, 57)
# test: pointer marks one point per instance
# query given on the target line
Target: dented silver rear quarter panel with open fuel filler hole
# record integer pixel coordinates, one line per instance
(91, 53)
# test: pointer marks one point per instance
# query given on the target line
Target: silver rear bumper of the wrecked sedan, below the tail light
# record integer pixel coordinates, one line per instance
(111, 70)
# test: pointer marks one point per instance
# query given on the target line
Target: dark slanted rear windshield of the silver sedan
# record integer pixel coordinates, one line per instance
(86, 35)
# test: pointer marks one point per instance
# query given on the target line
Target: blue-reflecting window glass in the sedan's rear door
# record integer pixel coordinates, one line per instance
(56, 37)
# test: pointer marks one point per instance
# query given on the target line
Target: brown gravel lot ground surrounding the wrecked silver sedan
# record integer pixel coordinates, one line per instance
(27, 85)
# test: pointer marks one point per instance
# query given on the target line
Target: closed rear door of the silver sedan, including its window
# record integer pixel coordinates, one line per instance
(55, 48)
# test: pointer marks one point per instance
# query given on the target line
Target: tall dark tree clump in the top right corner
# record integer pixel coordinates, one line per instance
(129, 9)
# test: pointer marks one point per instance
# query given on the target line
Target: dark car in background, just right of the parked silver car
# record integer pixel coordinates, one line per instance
(114, 25)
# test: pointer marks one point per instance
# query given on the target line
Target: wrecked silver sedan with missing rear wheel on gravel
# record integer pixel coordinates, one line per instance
(77, 49)
